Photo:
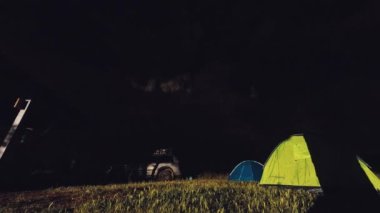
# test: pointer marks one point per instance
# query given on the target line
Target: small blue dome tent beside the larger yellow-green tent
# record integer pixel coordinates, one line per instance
(248, 170)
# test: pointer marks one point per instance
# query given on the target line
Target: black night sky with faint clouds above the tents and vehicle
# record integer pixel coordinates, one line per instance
(218, 81)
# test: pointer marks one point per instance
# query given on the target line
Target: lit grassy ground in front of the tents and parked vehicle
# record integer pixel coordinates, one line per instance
(179, 196)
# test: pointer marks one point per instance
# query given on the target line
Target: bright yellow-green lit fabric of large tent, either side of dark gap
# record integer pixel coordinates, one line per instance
(290, 164)
